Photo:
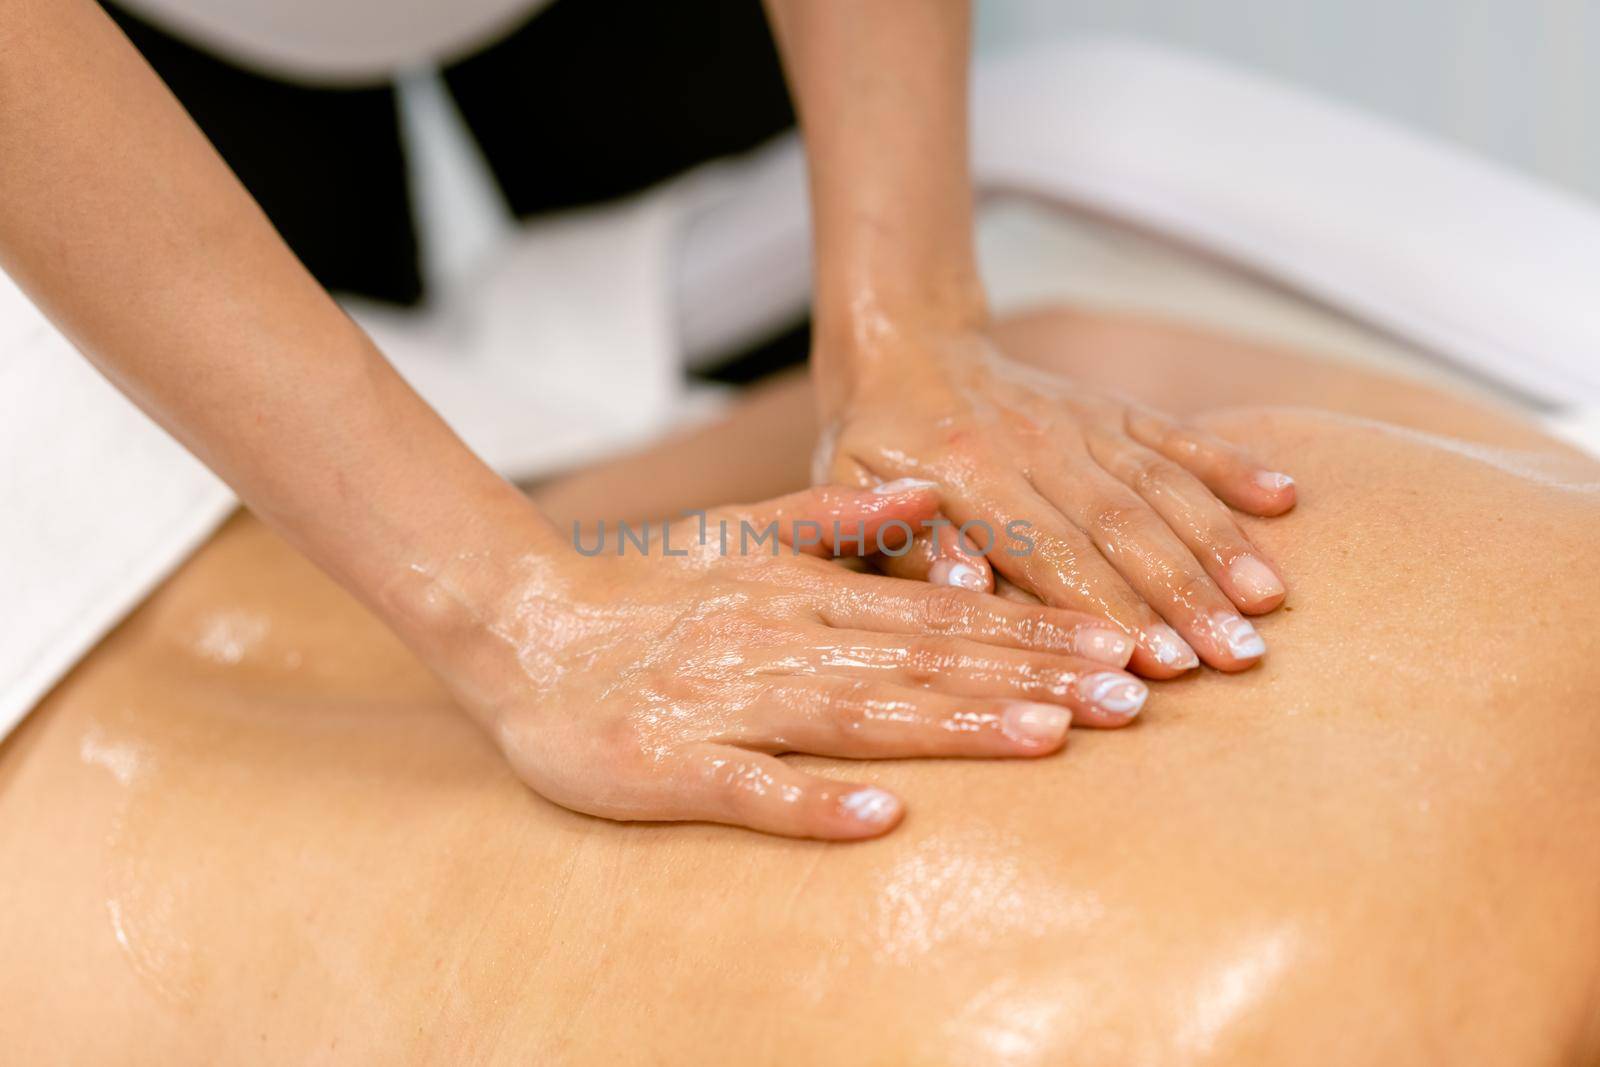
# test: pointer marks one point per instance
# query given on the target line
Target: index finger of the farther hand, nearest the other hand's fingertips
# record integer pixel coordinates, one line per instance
(1057, 562)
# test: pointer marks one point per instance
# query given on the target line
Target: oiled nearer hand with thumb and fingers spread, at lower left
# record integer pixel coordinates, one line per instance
(660, 687)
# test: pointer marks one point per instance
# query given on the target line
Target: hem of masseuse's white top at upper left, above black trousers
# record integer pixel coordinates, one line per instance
(337, 42)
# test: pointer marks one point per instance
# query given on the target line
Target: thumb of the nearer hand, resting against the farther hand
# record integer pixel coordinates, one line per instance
(836, 521)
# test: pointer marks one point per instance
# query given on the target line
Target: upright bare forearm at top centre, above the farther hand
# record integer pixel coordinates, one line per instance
(882, 95)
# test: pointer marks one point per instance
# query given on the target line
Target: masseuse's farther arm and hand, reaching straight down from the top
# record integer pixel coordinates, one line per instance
(1130, 510)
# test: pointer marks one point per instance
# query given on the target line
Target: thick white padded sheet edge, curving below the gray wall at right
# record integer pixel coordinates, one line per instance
(1430, 242)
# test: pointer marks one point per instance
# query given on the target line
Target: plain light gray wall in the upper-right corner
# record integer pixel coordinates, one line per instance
(1518, 81)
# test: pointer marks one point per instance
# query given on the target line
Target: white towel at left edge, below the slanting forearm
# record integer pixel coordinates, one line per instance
(98, 506)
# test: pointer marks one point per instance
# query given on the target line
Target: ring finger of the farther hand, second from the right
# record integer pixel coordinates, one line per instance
(1198, 519)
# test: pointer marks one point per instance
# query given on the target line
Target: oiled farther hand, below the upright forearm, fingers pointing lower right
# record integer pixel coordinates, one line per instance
(1078, 497)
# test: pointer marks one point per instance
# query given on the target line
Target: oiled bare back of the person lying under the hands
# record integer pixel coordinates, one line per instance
(255, 828)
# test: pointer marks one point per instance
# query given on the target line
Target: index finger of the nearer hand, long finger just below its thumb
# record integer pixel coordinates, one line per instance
(866, 602)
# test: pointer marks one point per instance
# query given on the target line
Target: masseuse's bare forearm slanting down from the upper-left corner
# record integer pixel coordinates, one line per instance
(129, 231)
